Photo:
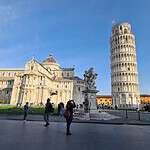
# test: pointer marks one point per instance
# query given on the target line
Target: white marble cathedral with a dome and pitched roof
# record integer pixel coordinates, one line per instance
(39, 81)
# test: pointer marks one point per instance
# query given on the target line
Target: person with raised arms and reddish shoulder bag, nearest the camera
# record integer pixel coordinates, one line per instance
(69, 107)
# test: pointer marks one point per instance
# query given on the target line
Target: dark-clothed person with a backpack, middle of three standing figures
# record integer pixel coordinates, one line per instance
(48, 109)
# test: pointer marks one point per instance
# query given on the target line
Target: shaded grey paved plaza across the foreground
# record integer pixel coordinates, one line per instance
(32, 135)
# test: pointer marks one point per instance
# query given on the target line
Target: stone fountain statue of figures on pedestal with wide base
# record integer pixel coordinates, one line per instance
(90, 111)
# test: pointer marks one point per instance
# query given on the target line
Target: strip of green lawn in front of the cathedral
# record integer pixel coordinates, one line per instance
(13, 110)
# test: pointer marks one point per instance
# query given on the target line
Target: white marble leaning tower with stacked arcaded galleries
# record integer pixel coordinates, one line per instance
(124, 73)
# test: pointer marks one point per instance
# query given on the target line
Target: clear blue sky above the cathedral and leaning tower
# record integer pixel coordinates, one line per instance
(76, 32)
